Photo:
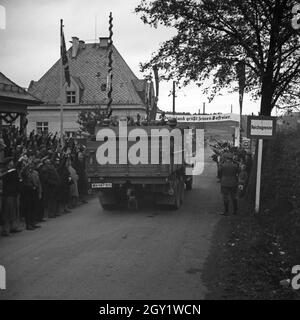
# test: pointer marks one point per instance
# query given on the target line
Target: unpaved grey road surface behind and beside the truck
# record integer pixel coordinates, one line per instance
(95, 254)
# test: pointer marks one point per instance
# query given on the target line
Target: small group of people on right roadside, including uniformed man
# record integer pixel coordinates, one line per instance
(233, 171)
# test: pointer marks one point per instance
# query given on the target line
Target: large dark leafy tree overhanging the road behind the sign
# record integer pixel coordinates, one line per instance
(213, 36)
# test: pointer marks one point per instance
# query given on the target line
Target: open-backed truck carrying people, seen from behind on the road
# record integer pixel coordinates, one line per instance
(123, 181)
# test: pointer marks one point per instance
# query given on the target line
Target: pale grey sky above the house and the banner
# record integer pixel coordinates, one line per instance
(30, 44)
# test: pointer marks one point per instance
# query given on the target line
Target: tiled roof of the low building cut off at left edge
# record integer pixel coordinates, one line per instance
(10, 90)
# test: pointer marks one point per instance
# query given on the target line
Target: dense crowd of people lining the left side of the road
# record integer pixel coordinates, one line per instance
(41, 178)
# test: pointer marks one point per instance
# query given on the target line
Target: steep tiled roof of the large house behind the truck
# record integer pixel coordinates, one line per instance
(89, 70)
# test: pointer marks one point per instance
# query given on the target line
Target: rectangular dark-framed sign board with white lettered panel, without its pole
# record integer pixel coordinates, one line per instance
(261, 127)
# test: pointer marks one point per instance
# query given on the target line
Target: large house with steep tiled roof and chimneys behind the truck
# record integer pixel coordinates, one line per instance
(88, 64)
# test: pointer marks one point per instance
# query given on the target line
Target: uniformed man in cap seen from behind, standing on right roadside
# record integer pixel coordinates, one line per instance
(229, 181)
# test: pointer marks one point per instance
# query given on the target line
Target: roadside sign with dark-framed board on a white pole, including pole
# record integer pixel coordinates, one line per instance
(260, 127)
